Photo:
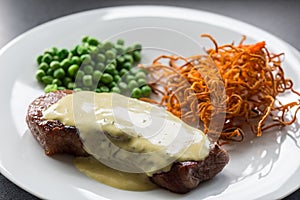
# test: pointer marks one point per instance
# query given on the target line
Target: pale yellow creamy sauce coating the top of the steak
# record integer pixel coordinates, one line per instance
(127, 134)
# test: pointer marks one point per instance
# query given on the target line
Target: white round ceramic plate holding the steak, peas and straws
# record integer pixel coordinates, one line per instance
(263, 168)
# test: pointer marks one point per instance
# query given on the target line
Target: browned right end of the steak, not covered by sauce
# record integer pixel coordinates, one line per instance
(185, 176)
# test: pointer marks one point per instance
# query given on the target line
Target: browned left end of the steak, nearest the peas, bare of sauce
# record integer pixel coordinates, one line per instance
(52, 135)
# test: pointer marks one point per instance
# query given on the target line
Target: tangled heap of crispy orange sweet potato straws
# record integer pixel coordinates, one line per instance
(252, 78)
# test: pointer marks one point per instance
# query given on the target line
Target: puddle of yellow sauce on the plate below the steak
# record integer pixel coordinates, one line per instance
(114, 178)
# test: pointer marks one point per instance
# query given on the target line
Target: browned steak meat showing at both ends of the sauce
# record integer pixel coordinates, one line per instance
(57, 138)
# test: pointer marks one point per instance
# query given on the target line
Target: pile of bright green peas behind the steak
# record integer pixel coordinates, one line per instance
(94, 66)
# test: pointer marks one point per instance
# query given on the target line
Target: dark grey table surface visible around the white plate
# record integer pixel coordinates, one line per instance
(279, 17)
